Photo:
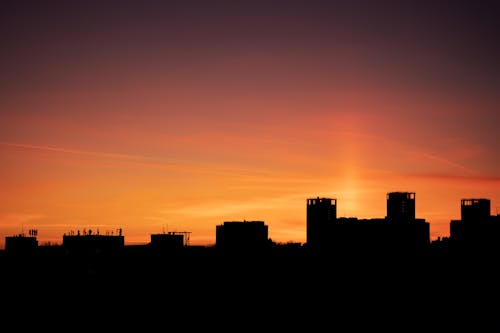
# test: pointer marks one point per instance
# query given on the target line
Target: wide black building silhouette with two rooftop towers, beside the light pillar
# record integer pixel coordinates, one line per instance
(399, 233)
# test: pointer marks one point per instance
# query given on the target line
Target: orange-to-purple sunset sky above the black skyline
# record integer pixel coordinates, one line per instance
(176, 116)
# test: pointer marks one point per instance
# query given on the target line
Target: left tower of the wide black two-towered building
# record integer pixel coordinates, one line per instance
(321, 212)
